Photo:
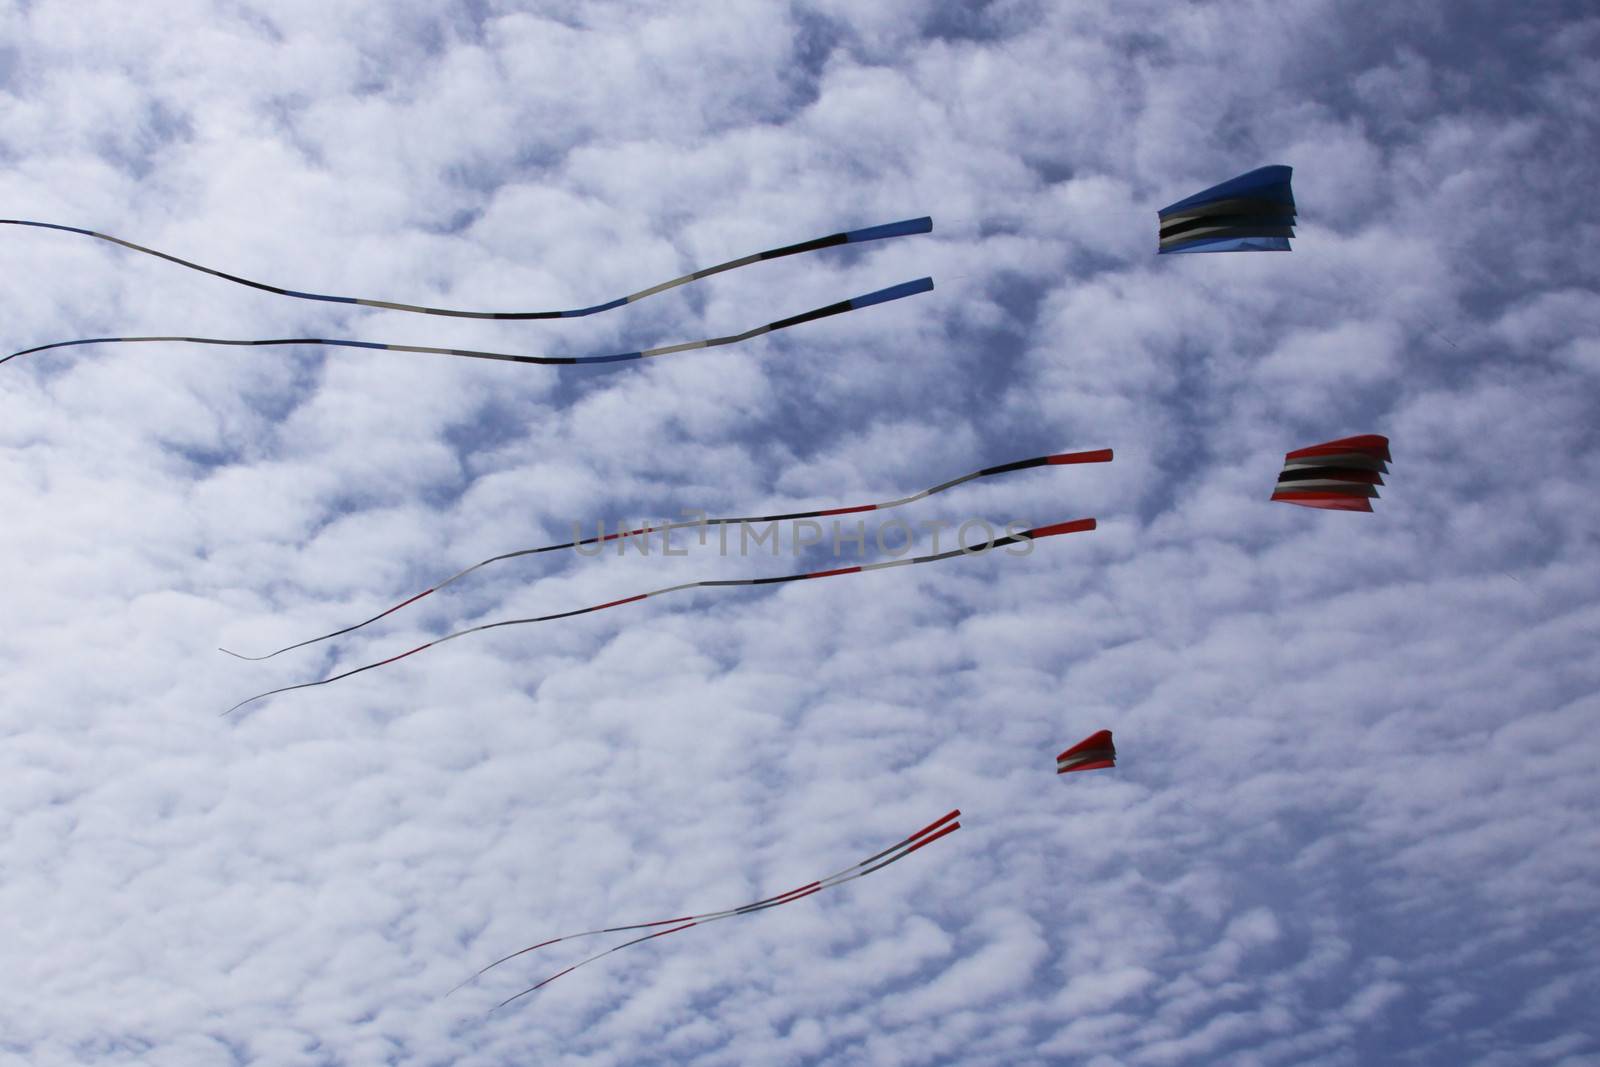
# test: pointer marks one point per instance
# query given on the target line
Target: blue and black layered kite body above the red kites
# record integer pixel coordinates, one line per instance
(1254, 212)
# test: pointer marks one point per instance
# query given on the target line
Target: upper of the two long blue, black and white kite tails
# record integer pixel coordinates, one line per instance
(833, 241)
